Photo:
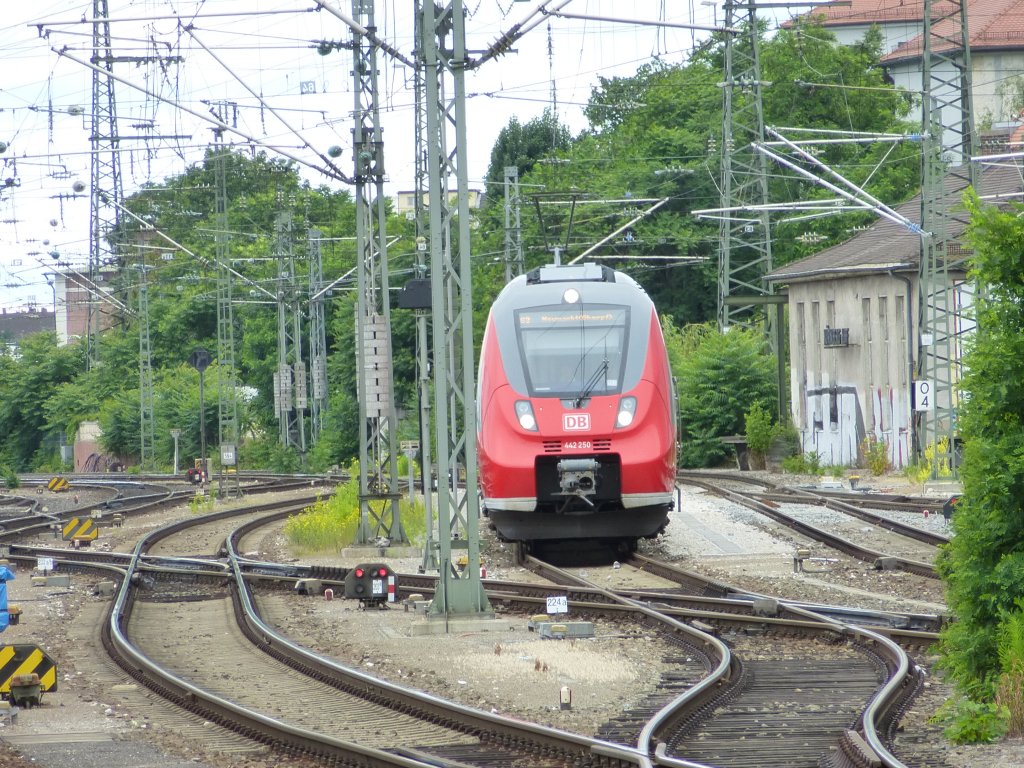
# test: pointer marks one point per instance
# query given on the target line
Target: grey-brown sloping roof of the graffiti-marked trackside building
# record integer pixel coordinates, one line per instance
(887, 245)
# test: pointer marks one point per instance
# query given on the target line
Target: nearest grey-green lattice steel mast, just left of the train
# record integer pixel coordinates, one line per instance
(445, 61)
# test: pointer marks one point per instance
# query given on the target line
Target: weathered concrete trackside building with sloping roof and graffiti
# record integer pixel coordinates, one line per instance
(855, 345)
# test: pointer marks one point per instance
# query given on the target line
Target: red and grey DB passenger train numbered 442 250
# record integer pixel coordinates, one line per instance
(576, 407)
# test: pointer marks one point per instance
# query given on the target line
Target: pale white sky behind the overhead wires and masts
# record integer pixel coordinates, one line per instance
(246, 51)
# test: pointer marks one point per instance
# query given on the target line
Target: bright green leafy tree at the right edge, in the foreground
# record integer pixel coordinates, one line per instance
(984, 565)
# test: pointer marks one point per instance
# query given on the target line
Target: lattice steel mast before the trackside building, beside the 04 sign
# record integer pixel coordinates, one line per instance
(945, 295)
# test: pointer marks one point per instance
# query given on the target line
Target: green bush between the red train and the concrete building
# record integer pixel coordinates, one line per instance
(717, 377)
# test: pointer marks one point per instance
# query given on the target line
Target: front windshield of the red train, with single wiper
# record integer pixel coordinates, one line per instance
(573, 352)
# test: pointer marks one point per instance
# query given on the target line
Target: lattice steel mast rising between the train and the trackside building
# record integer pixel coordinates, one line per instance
(745, 240)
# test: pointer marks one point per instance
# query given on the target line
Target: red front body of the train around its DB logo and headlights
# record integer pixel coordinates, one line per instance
(530, 447)
